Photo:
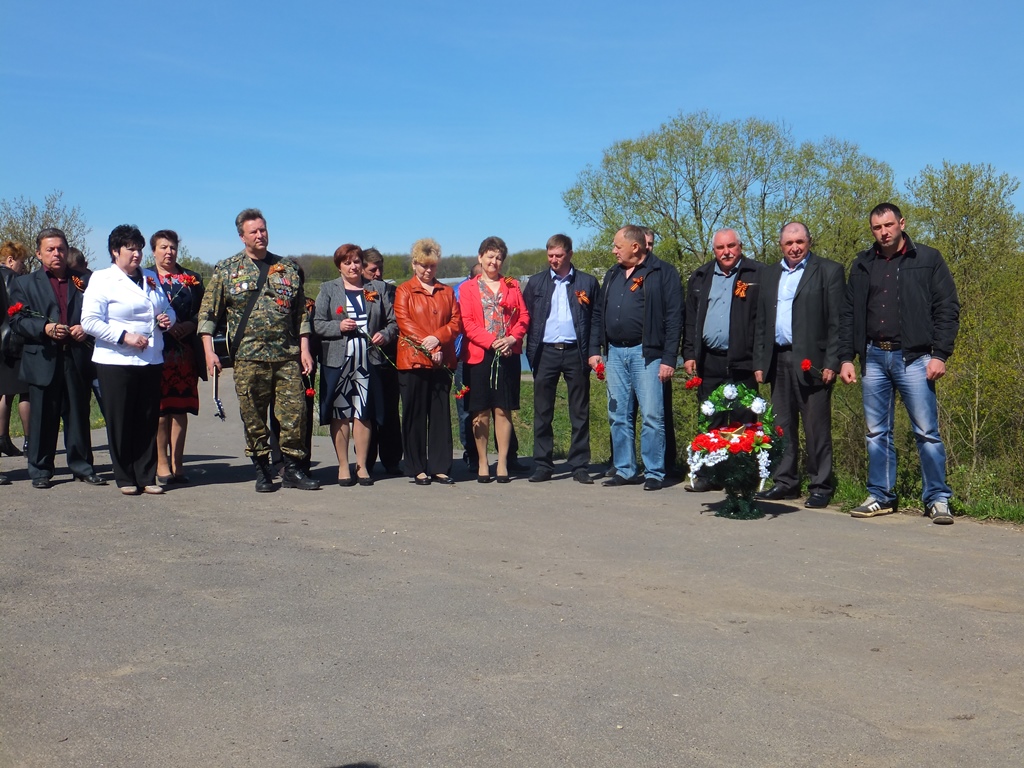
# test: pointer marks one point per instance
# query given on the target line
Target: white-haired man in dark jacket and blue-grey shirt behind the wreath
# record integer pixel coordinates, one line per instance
(719, 322)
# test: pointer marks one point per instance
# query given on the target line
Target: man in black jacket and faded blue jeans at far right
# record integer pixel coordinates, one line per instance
(902, 318)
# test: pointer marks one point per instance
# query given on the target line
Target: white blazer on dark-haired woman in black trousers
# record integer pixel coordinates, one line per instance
(114, 305)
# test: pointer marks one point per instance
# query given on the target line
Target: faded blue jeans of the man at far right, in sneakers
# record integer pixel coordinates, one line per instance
(885, 374)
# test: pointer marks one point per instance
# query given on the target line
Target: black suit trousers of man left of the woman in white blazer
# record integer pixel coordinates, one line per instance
(66, 398)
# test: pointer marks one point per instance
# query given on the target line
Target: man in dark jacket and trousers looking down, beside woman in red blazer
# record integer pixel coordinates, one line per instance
(565, 340)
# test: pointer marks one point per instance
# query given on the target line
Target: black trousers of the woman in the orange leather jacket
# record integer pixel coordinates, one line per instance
(426, 421)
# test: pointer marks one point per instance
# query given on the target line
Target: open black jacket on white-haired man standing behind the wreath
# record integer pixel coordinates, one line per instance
(743, 316)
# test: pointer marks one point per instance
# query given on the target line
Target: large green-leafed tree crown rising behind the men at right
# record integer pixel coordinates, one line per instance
(698, 175)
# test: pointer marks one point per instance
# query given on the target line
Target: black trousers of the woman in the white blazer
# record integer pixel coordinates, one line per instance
(132, 395)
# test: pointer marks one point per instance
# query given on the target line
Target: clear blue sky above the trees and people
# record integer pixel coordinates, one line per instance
(381, 123)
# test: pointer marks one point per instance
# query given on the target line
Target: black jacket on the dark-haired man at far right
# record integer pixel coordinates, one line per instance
(929, 307)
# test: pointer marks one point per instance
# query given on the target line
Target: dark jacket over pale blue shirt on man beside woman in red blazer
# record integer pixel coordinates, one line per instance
(586, 314)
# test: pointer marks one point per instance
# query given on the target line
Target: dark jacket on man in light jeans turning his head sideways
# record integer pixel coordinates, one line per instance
(663, 301)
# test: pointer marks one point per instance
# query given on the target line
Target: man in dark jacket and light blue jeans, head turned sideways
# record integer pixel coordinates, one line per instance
(643, 307)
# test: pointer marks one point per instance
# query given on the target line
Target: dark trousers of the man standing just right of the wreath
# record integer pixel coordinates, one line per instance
(795, 402)
